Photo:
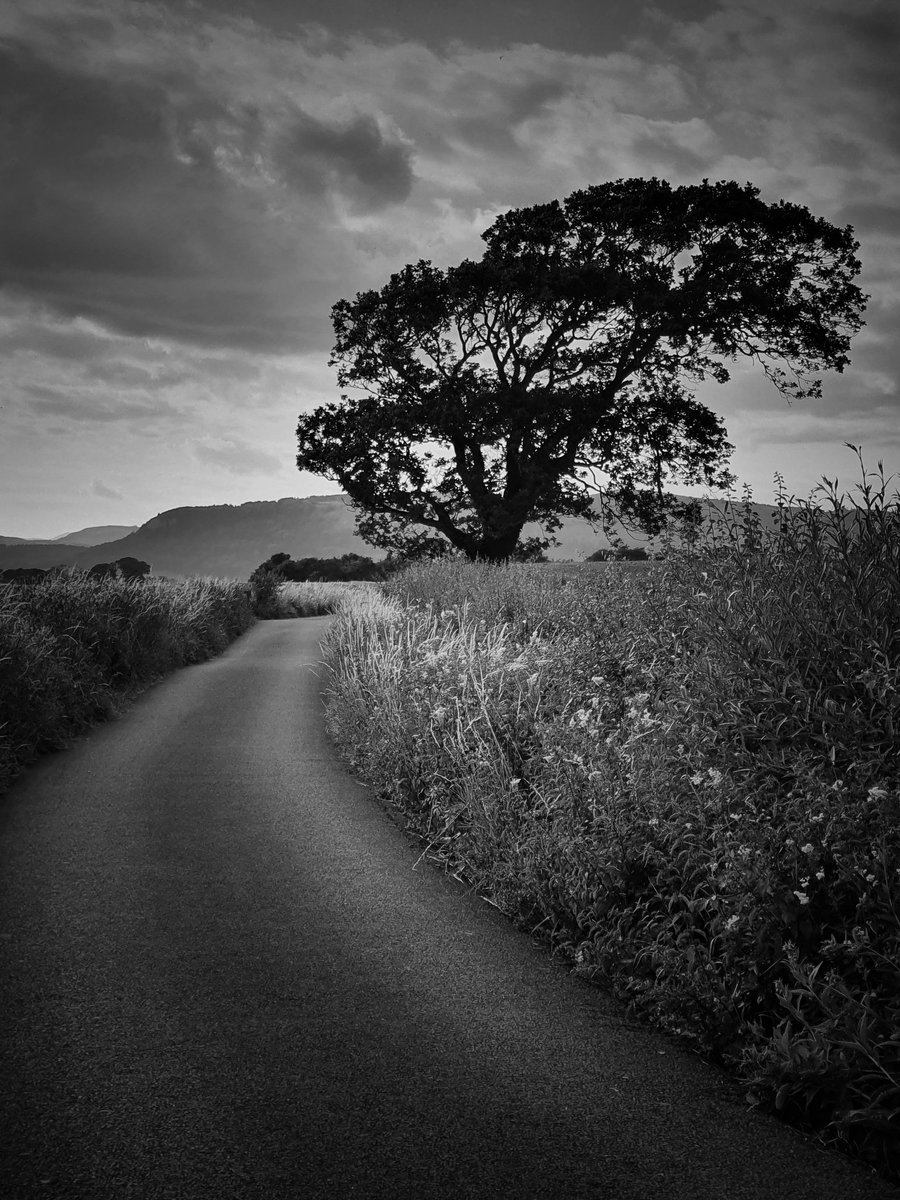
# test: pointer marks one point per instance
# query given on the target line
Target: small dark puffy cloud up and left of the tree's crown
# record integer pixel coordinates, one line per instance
(355, 159)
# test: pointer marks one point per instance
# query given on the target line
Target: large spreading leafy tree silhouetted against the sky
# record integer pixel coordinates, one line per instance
(508, 391)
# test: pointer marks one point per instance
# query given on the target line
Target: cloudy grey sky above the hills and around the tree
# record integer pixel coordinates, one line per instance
(188, 188)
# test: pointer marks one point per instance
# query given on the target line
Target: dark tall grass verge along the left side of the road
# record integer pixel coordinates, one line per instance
(73, 647)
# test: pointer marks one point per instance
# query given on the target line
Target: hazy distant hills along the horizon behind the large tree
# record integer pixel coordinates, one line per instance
(232, 541)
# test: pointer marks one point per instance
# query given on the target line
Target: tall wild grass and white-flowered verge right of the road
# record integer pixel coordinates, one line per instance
(687, 778)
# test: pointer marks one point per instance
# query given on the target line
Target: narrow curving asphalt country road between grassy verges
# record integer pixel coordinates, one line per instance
(225, 976)
